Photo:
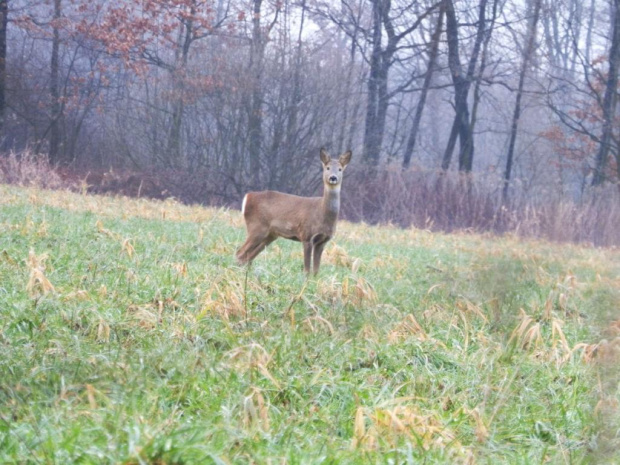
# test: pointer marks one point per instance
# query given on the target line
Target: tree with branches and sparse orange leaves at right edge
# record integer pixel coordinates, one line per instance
(585, 102)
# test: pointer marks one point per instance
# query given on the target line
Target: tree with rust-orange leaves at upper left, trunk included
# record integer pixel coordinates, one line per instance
(148, 34)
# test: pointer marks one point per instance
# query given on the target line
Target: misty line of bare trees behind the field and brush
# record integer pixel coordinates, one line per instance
(244, 92)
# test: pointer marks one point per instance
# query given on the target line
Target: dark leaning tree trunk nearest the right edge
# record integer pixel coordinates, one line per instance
(609, 100)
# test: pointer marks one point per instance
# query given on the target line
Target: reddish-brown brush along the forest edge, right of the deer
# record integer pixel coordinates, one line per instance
(450, 201)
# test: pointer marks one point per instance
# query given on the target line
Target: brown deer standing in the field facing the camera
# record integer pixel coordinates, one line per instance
(310, 220)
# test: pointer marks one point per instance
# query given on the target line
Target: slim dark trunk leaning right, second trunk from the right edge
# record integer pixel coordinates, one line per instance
(528, 51)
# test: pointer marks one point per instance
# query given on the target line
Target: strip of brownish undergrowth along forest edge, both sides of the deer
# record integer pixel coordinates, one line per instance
(437, 201)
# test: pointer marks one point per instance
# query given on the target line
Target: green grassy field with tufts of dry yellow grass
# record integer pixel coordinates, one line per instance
(129, 335)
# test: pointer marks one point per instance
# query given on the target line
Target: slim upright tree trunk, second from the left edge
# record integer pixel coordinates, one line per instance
(56, 107)
